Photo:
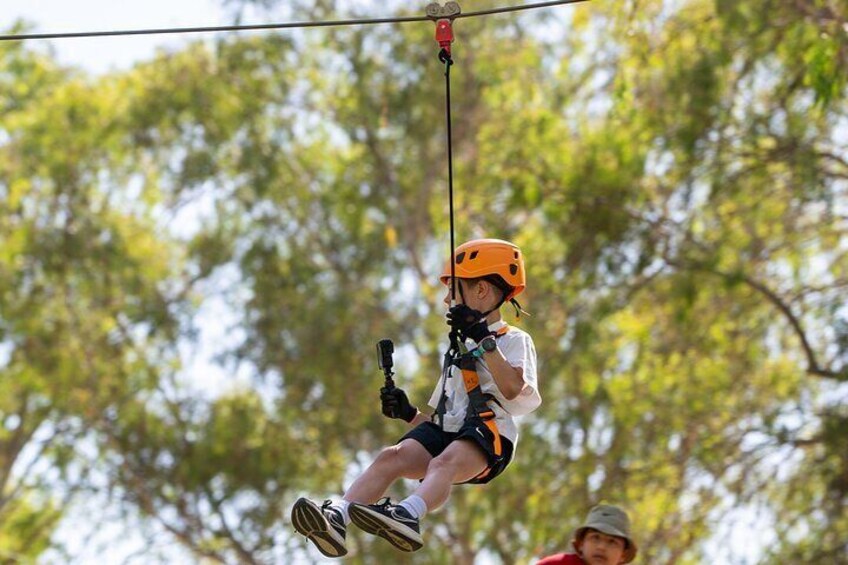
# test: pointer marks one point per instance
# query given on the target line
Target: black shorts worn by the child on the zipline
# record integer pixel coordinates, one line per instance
(435, 440)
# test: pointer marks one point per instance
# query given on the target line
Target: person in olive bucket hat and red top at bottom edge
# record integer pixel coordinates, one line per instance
(603, 539)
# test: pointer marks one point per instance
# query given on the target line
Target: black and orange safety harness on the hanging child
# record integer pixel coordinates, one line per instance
(478, 401)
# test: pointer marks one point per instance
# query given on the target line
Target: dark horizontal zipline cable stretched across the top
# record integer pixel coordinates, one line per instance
(284, 25)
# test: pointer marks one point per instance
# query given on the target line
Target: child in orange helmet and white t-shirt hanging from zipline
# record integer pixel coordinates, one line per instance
(488, 378)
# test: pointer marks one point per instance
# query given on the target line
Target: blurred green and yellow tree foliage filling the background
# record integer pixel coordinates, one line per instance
(268, 206)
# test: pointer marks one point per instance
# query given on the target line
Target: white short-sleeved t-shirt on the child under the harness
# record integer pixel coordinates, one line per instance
(518, 349)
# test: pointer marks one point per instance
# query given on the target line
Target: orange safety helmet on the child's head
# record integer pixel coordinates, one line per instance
(485, 257)
